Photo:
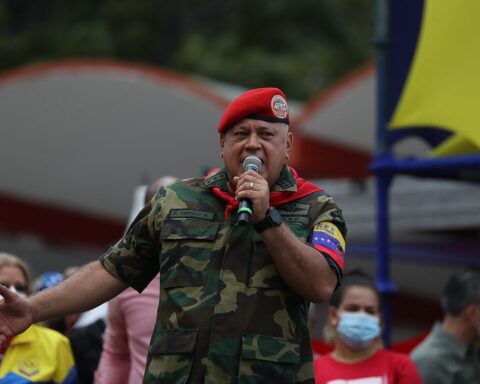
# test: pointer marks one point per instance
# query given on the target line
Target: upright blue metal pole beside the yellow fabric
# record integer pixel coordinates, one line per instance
(383, 177)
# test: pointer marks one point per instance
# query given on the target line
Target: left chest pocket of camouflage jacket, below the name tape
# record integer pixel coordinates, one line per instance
(186, 252)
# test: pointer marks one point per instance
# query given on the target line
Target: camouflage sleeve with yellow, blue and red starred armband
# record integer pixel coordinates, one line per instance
(328, 235)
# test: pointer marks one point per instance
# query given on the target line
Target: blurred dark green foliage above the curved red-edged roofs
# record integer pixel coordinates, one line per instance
(300, 45)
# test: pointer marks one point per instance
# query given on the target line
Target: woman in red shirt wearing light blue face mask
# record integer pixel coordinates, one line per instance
(354, 327)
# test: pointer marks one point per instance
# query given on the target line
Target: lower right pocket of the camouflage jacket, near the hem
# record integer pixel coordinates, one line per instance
(268, 359)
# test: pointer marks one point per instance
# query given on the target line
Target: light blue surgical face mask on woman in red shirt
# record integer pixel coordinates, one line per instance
(358, 329)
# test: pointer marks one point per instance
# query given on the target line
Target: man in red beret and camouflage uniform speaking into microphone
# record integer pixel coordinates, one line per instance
(234, 298)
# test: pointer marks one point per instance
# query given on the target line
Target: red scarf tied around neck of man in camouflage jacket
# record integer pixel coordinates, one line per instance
(304, 188)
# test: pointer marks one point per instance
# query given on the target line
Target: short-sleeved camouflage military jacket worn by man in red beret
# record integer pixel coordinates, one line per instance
(225, 314)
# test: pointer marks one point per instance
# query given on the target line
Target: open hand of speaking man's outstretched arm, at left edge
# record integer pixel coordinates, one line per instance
(15, 314)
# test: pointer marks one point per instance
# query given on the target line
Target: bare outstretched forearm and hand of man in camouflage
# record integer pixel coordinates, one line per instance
(85, 289)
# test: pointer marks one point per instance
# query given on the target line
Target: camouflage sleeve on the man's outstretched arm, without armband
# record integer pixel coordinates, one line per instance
(134, 258)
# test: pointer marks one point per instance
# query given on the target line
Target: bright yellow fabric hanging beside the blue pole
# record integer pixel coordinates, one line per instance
(443, 86)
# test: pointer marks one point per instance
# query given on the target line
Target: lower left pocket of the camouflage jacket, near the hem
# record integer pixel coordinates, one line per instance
(171, 356)
